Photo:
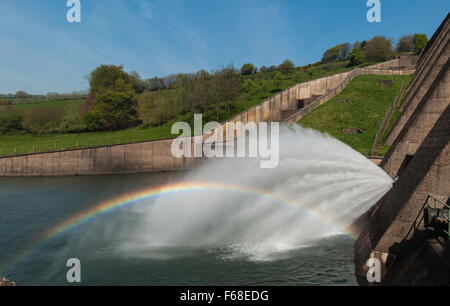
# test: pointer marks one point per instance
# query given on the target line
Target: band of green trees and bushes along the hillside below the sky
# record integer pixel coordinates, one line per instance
(119, 100)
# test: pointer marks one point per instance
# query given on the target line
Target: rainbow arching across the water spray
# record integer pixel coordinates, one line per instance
(116, 203)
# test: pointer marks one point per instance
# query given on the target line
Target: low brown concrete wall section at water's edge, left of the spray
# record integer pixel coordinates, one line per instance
(152, 156)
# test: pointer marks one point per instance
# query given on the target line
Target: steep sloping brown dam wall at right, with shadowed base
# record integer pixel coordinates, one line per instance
(394, 231)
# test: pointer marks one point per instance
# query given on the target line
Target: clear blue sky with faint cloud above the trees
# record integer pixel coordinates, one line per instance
(41, 52)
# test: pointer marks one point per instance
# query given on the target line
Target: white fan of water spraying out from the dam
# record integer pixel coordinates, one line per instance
(317, 171)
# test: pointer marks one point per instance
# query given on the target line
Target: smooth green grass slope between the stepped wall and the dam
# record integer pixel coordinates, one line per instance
(369, 104)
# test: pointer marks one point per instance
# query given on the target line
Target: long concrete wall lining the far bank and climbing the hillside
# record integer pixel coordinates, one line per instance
(286, 107)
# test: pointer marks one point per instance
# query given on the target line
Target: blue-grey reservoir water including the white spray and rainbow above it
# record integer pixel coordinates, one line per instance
(227, 223)
